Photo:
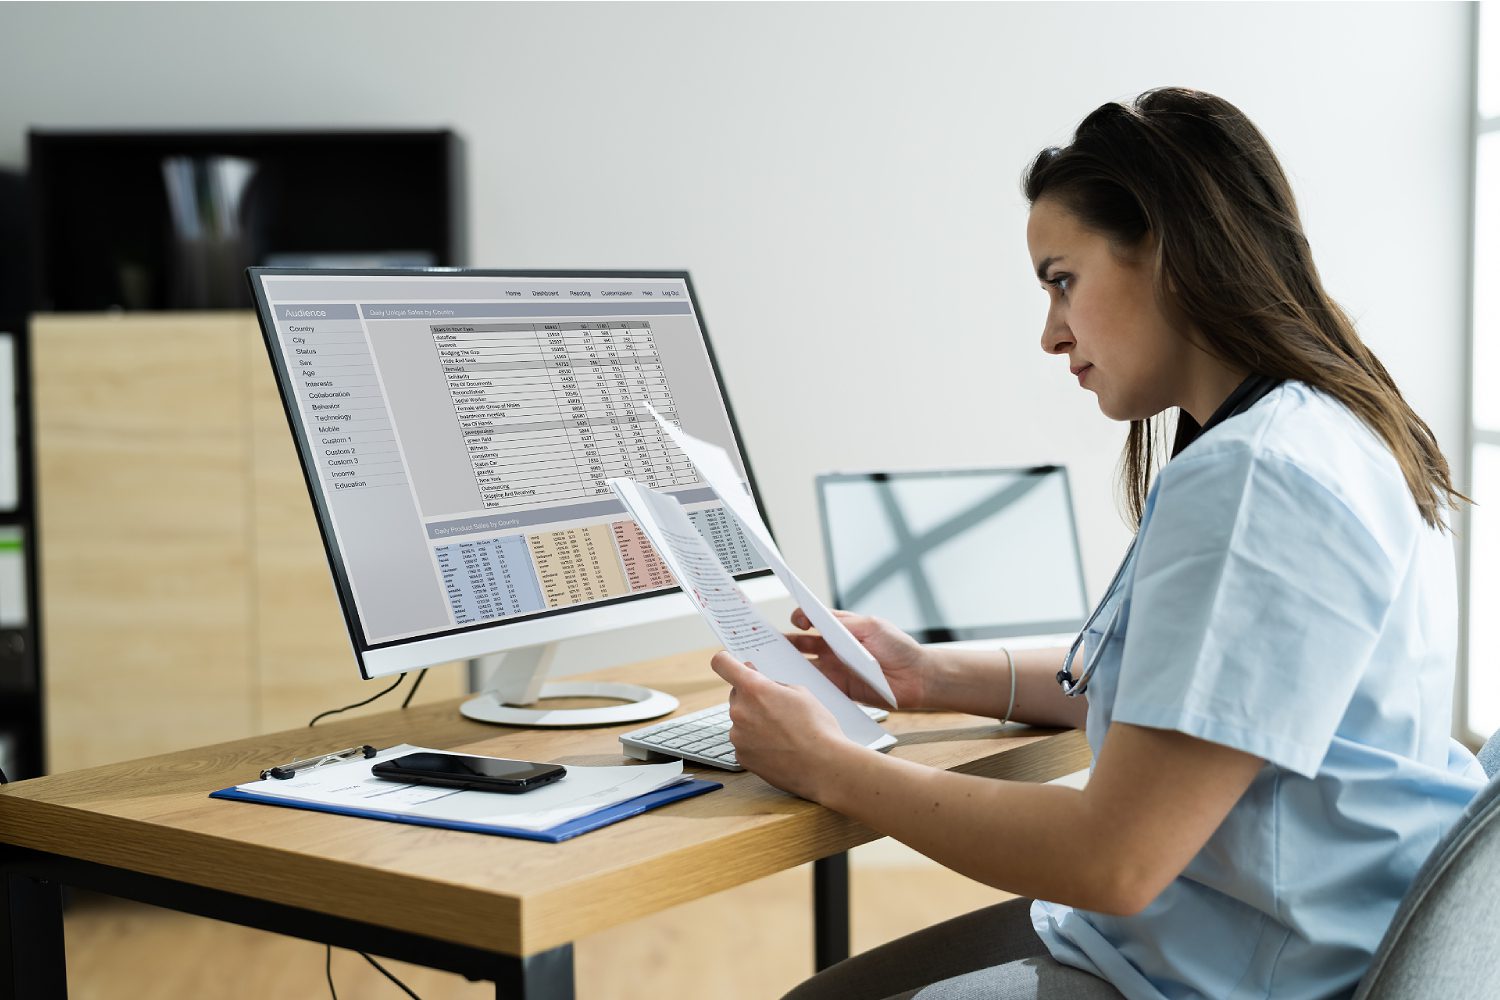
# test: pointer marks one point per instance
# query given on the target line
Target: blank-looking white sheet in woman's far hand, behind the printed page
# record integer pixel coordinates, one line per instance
(716, 469)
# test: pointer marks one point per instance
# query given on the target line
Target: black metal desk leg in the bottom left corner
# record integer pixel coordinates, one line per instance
(32, 959)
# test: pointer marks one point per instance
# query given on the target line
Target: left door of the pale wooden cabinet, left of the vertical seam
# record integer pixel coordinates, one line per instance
(142, 451)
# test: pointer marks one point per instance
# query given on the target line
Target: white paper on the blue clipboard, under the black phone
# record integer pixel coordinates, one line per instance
(580, 792)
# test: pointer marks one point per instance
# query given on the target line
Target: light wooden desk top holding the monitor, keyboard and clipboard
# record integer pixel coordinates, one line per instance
(494, 893)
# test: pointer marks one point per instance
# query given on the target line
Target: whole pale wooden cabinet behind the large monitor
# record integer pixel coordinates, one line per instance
(185, 591)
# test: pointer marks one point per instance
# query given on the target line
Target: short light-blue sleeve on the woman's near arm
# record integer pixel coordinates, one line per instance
(1256, 605)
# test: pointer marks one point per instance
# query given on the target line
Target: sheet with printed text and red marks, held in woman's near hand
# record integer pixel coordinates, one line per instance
(739, 624)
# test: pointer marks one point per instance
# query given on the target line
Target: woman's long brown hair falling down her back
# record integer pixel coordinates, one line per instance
(1192, 173)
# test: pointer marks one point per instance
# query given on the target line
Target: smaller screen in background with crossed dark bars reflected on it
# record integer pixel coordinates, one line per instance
(956, 555)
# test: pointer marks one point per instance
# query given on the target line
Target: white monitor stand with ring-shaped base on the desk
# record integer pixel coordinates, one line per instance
(518, 681)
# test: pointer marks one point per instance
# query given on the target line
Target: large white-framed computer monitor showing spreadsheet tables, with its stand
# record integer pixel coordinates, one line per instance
(457, 430)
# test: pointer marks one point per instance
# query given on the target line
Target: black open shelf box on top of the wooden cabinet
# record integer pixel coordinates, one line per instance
(109, 230)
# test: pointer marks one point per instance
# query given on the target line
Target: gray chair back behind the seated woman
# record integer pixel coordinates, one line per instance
(1445, 939)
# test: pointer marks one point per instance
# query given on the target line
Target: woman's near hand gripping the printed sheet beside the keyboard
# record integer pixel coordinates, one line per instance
(781, 732)
